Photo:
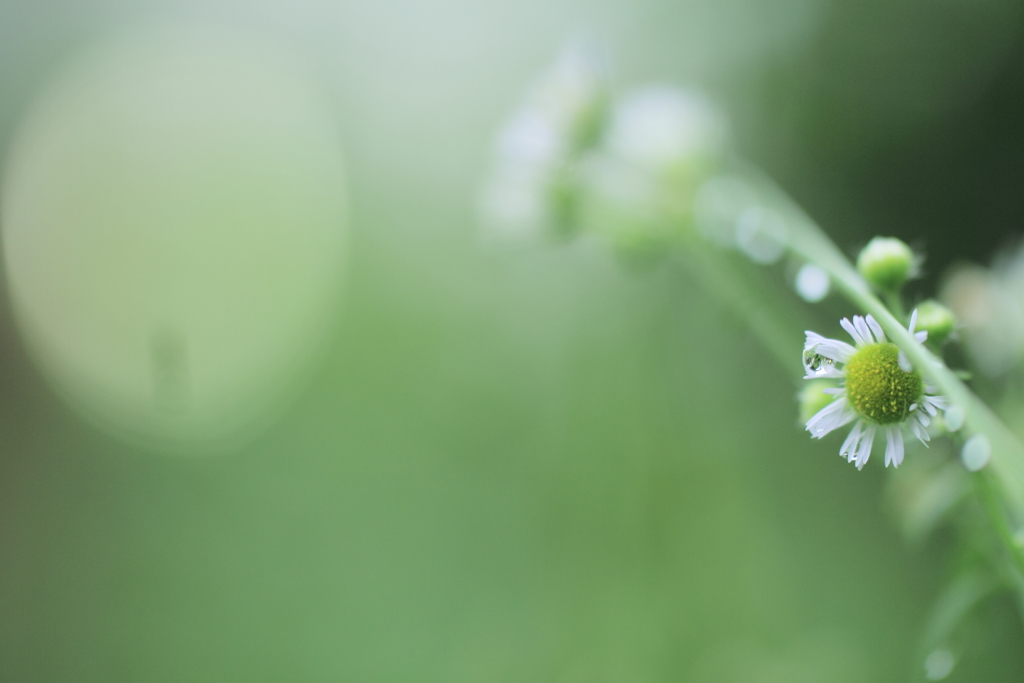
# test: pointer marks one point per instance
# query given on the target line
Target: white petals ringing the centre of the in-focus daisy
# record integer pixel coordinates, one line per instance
(829, 359)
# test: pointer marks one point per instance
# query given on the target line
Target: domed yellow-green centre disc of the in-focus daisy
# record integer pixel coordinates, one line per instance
(878, 389)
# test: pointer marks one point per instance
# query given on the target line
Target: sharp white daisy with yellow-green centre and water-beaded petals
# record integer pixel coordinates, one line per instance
(881, 391)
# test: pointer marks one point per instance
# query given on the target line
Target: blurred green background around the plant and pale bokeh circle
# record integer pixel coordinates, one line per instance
(535, 466)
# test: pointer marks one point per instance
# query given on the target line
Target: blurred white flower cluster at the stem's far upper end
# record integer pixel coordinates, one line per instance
(628, 169)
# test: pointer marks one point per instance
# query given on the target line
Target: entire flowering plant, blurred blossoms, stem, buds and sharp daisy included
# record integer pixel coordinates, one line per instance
(652, 170)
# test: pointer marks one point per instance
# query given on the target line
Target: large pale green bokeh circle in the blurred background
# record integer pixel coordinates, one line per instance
(175, 217)
